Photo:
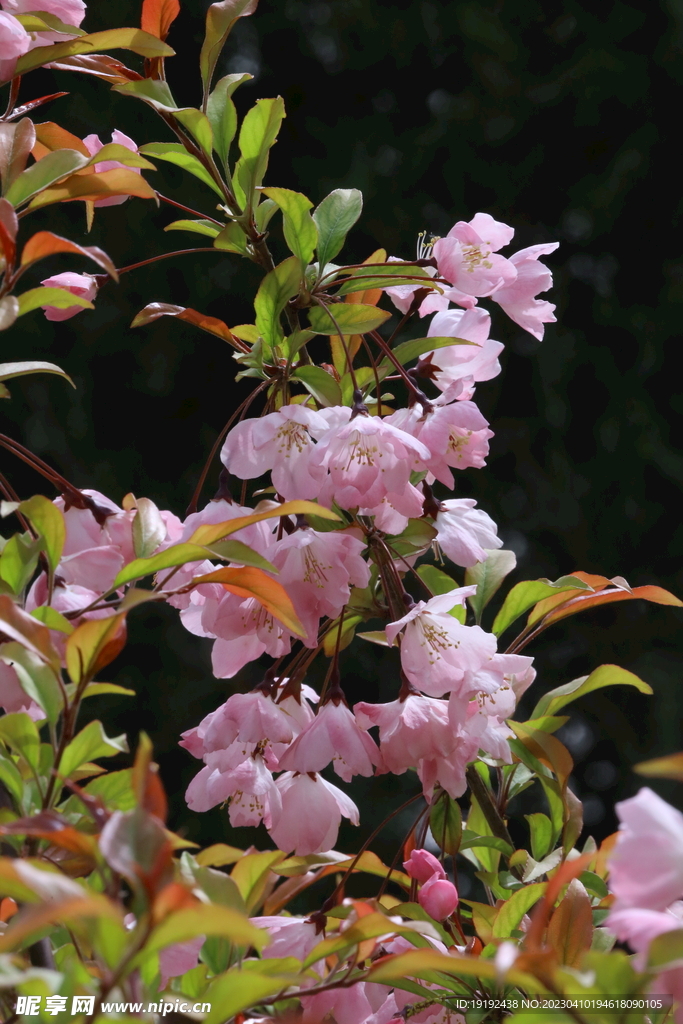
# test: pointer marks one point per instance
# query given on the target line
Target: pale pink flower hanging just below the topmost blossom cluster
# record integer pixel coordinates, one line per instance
(463, 363)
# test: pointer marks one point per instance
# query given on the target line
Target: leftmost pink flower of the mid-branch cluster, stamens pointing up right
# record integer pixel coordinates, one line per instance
(281, 443)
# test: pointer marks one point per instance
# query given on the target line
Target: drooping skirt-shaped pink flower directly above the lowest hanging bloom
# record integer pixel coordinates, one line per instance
(333, 736)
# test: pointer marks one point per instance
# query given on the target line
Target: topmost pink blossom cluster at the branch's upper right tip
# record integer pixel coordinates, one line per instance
(468, 258)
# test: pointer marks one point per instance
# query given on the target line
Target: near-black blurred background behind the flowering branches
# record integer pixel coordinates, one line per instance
(554, 117)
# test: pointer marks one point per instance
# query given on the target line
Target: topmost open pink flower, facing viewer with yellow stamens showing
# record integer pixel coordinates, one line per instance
(468, 259)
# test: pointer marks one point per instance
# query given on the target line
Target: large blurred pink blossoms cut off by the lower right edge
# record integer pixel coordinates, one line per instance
(647, 877)
